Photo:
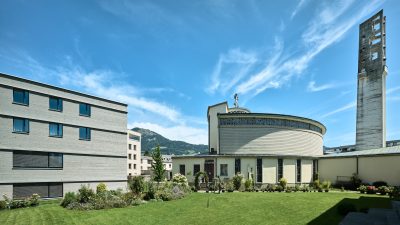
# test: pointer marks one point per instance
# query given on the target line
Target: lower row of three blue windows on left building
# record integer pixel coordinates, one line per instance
(21, 125)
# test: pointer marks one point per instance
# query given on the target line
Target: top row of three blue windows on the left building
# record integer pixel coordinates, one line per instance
(55, 103)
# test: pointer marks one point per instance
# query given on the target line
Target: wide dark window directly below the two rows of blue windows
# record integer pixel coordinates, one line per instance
(27, 159)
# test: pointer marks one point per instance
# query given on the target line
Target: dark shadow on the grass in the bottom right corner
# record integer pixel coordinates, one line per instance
(331, 216)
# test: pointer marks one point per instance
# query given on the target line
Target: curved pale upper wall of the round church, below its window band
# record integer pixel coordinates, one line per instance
(270, 140)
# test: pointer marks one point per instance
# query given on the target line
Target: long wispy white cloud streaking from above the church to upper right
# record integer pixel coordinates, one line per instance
(327, 27)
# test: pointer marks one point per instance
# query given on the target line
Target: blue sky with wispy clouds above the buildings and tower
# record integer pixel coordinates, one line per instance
(169, 60)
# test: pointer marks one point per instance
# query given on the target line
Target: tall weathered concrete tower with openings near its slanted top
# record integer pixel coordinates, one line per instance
(371, 90)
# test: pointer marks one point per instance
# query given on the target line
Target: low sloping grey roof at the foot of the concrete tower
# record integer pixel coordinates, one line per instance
(371, 152)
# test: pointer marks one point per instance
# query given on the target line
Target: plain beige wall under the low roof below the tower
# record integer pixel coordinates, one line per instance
(370, 169)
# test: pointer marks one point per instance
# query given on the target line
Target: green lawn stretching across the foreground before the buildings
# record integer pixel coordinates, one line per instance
(226, 208)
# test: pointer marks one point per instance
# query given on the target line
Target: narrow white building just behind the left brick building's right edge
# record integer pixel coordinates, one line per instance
(133, 153)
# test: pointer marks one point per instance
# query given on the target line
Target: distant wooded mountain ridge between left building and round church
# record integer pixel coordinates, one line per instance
(150, 139)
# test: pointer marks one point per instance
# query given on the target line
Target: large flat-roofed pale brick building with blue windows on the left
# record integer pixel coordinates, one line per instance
(54, 140)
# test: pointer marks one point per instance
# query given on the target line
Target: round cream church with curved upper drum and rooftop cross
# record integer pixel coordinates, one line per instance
(261, 146)
